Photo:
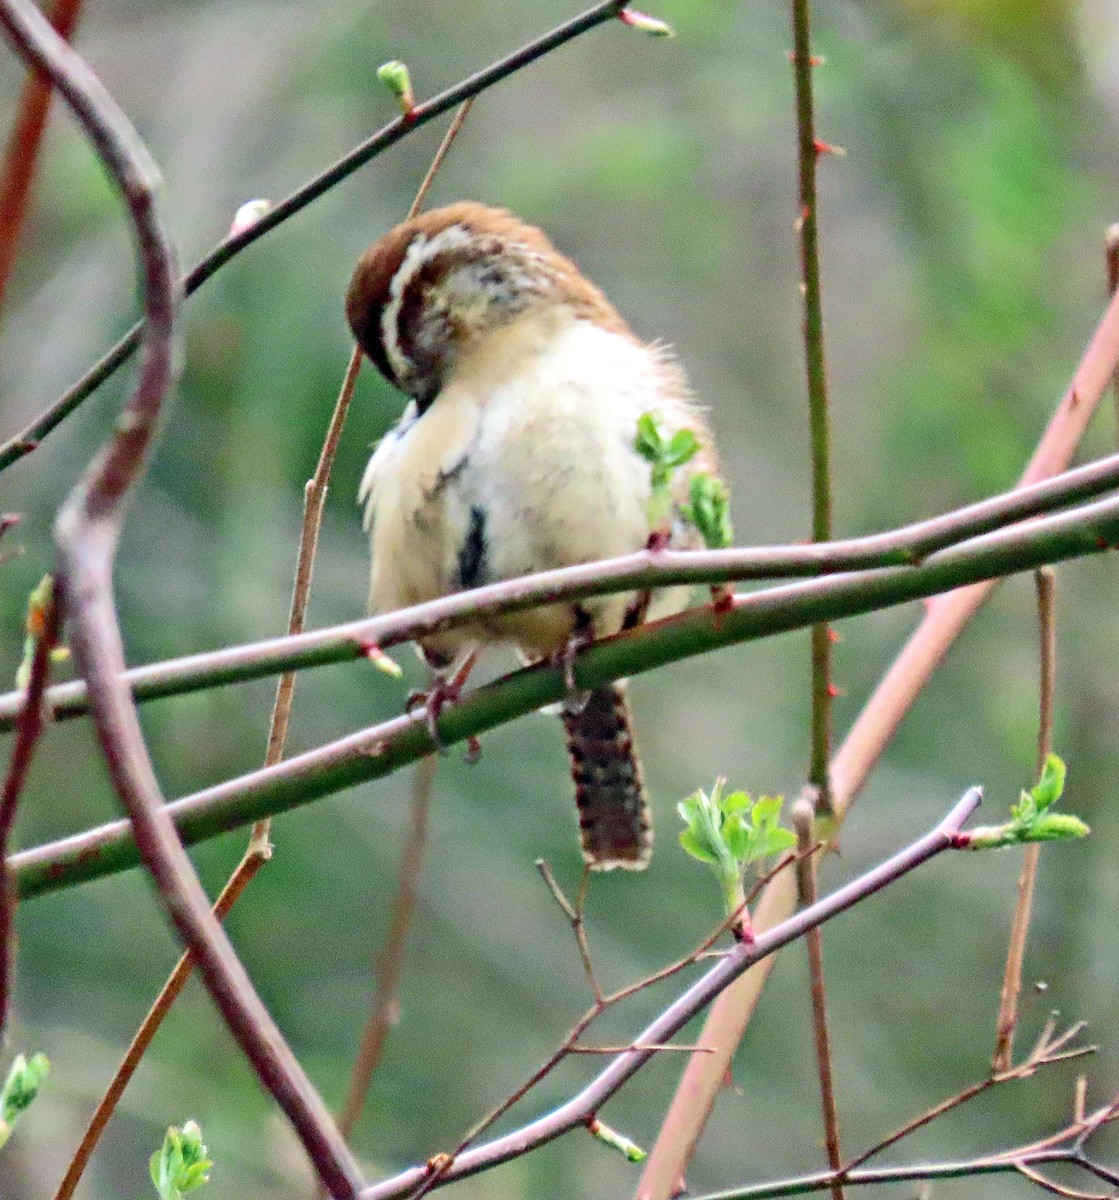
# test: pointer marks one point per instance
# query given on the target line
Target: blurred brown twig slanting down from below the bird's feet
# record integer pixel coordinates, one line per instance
(390, 965)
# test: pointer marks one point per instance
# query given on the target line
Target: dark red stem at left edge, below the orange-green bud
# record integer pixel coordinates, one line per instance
(28, 733)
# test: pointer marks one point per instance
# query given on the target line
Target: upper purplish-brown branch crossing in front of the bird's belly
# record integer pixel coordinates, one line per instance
(911, 545)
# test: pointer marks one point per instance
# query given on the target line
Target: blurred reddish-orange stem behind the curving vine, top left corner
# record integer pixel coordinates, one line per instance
(22, 155)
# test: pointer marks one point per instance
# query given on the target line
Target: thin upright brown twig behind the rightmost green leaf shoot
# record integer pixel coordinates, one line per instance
(1012, 991)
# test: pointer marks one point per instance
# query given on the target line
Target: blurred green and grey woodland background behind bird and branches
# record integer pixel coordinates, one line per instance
(964, 277)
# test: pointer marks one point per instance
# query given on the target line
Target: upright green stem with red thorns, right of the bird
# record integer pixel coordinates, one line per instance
(816, 365)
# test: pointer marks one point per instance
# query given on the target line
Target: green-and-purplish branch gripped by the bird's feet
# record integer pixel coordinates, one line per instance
(376, 753)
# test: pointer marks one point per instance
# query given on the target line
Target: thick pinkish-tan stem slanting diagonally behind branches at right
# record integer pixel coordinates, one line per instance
(946, 619)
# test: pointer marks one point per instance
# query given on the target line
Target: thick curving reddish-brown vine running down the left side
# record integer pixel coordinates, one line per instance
(87, 535)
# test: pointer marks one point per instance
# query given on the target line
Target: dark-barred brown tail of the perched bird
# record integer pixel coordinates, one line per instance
(614, 818)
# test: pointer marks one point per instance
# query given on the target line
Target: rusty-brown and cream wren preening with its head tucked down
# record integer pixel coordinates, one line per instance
(517, 454)
